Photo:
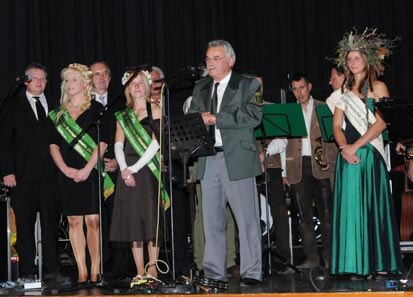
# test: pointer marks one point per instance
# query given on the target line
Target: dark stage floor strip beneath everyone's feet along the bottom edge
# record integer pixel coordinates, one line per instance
(309, 283)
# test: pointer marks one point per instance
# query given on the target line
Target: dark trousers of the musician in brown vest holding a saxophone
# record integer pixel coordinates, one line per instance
(305, 191)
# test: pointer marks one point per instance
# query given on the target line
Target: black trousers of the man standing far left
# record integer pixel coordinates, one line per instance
(28, 198)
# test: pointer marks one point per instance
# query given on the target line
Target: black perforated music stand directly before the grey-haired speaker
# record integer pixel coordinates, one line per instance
(189, 138)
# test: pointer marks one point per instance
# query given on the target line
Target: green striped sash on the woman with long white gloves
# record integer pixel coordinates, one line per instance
(140, 140)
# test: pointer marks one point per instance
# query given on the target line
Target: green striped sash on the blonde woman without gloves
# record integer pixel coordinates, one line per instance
(69, 129)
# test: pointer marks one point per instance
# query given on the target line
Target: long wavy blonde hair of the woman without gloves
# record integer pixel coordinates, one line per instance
(86, 75)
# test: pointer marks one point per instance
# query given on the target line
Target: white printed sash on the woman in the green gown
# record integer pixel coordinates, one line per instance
(355, 111)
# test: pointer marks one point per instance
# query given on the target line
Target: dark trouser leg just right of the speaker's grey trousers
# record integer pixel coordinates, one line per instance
(279, 212)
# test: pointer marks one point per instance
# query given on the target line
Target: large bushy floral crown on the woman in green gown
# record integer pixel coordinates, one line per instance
(370, 43)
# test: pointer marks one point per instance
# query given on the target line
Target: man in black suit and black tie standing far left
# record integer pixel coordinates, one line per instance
(28, 169)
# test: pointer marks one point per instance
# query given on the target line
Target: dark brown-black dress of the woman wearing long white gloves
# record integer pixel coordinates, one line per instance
(136, 211)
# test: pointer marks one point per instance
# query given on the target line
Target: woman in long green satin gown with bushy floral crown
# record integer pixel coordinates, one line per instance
(365, 238)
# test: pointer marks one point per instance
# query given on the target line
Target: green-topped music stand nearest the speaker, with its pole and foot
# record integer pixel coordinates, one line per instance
(279, 120)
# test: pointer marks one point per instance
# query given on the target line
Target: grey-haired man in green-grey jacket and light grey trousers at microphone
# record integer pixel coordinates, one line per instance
(230, 105)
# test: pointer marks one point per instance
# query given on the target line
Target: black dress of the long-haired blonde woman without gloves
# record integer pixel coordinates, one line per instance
(79, 198)
